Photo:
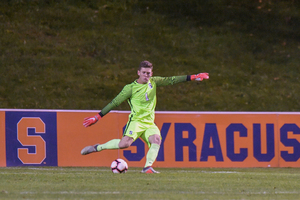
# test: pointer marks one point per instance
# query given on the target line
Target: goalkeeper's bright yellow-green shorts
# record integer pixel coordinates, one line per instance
(135, 129)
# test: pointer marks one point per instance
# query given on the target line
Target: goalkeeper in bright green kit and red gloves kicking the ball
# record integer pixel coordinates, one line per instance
(141, 96)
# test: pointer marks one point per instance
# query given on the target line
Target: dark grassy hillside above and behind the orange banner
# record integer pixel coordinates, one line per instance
(76, 54)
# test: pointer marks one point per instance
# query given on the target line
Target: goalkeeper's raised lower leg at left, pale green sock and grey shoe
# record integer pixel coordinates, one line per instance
(112, 144)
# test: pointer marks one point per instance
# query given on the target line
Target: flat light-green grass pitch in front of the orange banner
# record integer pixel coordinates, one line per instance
(101, 183)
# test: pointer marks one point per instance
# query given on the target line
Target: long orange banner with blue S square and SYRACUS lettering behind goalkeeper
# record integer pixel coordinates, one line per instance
(189, 139)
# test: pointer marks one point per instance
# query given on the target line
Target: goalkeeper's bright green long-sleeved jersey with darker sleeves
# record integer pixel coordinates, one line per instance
(142, 97)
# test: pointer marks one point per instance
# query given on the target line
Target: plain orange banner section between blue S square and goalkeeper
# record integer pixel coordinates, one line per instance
(72, 136)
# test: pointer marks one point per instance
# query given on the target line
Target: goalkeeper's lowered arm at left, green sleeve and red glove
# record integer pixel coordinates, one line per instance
(122, 96)
